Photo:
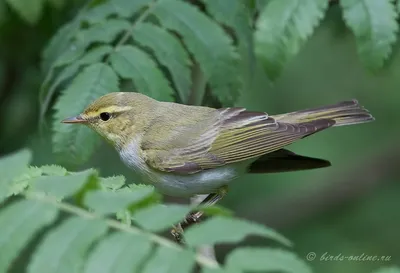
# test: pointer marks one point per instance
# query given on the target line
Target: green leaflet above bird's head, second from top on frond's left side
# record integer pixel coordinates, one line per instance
(103, 32)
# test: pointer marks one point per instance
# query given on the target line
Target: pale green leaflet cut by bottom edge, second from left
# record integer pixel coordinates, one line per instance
(64, 248)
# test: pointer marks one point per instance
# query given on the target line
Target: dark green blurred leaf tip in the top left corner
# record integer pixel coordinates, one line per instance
(30, 11)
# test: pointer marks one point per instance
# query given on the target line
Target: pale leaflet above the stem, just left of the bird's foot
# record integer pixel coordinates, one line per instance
(160, 217)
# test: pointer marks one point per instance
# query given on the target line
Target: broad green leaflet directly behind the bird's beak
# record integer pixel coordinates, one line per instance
(74, 142)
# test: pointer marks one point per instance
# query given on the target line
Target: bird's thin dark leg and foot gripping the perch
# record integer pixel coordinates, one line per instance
(194, 217)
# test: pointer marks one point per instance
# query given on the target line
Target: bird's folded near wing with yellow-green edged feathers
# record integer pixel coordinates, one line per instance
(236, 136)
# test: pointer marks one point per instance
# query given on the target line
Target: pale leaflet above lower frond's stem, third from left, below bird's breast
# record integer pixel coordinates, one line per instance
(106, 202)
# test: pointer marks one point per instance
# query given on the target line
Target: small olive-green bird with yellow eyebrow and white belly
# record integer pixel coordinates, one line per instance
(186, 150)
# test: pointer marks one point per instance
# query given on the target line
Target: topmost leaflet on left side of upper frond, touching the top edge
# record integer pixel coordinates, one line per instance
(124, 8)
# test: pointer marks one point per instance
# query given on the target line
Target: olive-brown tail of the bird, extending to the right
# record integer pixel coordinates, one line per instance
(343, 113)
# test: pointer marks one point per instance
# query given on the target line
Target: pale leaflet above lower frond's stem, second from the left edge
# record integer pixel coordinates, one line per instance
(63, 186)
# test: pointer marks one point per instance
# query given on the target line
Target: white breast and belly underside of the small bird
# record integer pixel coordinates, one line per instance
(175, 184)
